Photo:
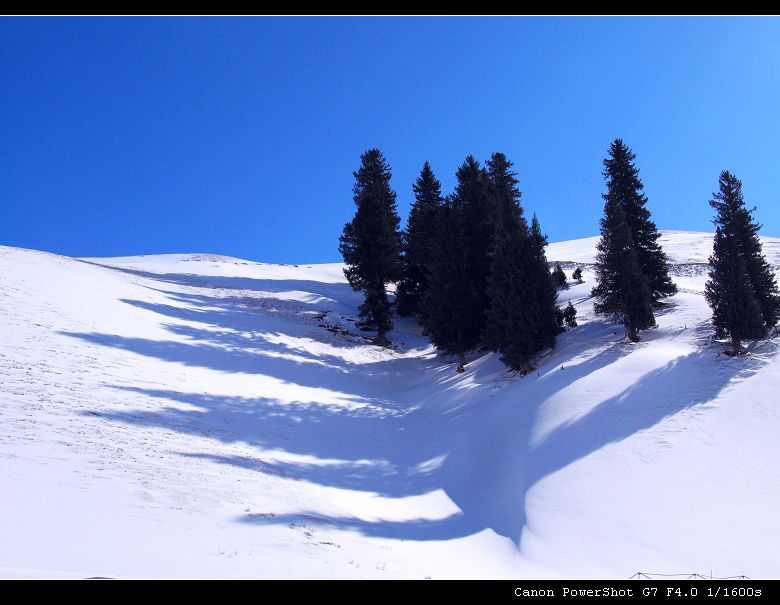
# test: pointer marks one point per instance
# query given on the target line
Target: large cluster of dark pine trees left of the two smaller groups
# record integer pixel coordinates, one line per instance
(468, 265)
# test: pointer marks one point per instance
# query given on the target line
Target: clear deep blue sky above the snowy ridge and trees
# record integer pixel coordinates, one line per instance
(240, 136)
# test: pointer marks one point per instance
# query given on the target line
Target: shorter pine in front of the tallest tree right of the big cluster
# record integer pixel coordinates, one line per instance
(622, 291)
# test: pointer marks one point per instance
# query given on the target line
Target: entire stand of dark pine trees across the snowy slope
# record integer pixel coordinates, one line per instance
(475, 274)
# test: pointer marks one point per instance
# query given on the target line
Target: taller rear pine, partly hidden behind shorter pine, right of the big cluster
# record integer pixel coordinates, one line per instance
(625, 189)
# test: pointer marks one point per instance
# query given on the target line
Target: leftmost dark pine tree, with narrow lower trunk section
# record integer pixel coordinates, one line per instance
(371, 243)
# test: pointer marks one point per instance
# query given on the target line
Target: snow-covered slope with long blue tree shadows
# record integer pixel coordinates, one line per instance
(204, 416)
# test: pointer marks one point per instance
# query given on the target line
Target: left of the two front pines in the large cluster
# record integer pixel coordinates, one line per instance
(451, 303)
